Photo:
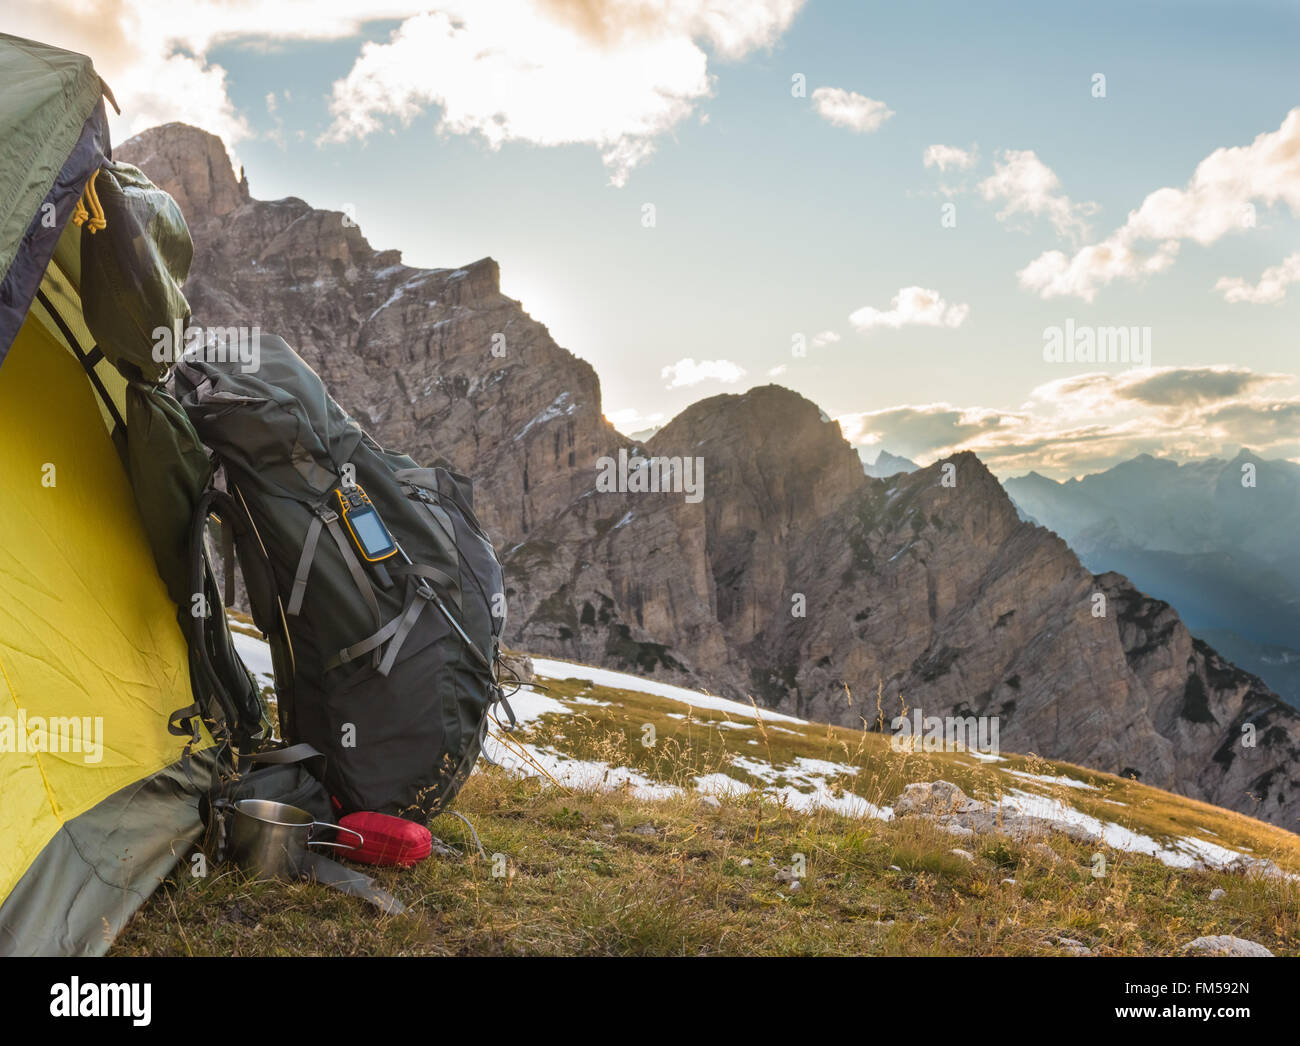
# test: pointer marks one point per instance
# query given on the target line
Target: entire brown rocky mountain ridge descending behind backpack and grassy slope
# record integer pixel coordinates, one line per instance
(794, 579)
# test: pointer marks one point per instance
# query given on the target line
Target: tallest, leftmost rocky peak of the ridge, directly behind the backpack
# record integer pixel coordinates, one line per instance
(437, 362)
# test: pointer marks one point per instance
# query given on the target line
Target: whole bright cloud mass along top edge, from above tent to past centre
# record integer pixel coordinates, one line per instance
(551, 72)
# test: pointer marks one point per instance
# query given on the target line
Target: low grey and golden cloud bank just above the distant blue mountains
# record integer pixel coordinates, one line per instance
(1087, 423)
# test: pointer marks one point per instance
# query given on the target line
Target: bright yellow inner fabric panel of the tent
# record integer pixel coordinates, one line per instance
(86, 627)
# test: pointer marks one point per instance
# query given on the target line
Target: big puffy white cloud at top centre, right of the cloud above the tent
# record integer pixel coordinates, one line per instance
(551, 73)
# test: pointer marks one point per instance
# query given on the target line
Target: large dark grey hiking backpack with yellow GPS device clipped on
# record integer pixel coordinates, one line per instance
(387, 665)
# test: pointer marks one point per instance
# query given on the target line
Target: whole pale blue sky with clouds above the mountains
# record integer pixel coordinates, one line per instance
(902, 211)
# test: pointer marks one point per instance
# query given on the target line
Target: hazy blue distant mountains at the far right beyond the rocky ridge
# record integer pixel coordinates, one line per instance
(1216, 539)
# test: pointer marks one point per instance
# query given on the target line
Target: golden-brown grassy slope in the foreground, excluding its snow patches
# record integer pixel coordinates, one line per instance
(605, 873)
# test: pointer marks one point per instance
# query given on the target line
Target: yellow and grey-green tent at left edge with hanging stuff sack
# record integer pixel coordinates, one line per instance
(98, 470)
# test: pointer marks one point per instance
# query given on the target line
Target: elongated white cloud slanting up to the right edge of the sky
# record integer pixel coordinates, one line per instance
(1220, 199)
